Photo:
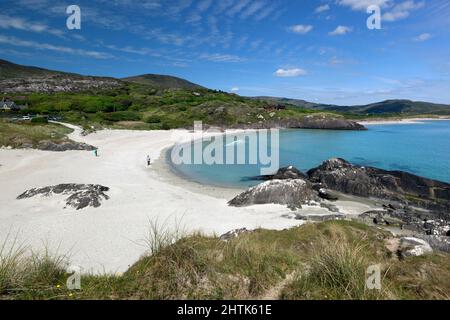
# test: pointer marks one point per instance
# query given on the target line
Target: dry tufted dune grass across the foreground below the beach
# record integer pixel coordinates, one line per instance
(315, 261)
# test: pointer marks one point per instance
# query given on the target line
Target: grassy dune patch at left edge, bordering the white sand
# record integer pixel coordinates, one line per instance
(31, 133)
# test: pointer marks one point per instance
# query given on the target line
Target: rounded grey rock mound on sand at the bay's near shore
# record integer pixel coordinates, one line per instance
(293, 193)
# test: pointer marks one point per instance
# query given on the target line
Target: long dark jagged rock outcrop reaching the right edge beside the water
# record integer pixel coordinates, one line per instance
(340, 175)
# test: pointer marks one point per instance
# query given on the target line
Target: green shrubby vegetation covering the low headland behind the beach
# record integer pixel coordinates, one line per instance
(138, 106)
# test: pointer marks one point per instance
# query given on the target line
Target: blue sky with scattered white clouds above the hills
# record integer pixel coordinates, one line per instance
(317, 50)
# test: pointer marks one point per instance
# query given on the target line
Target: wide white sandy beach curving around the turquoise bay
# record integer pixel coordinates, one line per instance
(111, 238)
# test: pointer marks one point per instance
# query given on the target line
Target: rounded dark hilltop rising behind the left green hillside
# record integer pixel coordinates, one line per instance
(163, 82)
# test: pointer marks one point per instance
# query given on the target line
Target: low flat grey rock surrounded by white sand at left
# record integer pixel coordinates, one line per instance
(79, 197)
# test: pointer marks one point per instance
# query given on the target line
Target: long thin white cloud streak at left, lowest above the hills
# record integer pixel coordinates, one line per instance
(44, 46)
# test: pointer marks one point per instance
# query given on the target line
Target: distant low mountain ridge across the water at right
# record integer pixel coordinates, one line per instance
(379, 108)
